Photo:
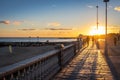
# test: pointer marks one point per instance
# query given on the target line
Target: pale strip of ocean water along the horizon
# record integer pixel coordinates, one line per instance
(35, 40)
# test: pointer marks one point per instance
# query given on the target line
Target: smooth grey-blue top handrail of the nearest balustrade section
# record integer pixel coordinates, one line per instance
(27, 62)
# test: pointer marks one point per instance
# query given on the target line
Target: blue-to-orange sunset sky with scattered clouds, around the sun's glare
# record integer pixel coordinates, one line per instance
(55, 18)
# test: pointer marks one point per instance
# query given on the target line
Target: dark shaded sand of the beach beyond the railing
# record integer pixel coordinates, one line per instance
(20, 53)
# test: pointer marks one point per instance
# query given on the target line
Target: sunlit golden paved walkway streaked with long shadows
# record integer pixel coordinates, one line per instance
(88, 65)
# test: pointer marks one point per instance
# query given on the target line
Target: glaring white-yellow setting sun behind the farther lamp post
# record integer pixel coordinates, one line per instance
(99, 31)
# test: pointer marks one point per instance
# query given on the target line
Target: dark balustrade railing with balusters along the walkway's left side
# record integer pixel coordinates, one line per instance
(41, 67)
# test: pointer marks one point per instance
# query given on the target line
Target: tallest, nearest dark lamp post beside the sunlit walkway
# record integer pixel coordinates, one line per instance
(106, 49)
